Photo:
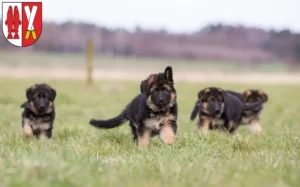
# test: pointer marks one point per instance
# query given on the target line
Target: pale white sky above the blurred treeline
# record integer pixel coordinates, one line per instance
(176, 15)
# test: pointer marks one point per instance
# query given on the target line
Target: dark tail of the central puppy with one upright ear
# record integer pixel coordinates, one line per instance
(111, 123)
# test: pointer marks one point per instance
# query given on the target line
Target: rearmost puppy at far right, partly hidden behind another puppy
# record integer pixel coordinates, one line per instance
(251, 117)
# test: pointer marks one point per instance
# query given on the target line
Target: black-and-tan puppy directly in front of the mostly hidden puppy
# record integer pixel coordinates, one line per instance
(218, 109)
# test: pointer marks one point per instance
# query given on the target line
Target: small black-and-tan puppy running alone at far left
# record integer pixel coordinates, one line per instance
(39, 112)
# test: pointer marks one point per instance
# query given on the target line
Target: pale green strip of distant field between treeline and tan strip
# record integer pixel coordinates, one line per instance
(21, 59)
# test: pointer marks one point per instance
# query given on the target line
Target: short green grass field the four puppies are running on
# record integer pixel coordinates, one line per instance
(80, 155)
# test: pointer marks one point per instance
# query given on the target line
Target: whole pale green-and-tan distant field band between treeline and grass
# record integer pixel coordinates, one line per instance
(73, 66)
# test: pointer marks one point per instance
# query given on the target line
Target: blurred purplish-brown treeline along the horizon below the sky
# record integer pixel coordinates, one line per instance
(214, 42)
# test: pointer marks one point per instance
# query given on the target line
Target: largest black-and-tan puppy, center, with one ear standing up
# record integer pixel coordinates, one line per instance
(151, 113)
